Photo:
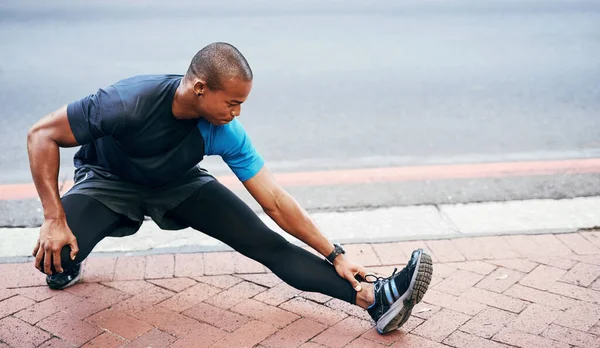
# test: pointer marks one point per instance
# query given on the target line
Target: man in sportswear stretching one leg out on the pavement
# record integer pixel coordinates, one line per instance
(141, 141)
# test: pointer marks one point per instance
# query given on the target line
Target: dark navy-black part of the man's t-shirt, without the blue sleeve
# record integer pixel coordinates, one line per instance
(128, 131)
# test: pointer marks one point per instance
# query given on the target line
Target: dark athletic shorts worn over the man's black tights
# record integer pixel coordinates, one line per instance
(137, 201)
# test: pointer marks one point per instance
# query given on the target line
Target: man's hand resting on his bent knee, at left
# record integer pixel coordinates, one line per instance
(54, 235)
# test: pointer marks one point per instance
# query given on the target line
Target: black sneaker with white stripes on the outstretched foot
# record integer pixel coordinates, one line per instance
(396, 295)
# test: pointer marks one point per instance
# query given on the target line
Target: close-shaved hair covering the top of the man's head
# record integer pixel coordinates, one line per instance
(217, 63)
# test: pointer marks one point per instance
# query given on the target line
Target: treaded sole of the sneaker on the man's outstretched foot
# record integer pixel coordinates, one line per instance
(400, 310)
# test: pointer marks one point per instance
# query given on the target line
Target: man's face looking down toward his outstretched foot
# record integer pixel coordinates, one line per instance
(221, 106)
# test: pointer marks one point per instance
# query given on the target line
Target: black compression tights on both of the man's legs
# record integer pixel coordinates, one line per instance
(219, 213)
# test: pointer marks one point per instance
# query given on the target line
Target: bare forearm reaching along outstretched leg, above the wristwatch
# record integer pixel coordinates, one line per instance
(293, 219)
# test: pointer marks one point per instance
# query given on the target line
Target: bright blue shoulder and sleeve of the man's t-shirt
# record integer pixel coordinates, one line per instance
(233, 144)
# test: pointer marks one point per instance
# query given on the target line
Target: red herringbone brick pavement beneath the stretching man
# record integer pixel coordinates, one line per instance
(510, 291)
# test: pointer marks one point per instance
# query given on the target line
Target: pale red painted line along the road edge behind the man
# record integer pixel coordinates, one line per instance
(384, 175)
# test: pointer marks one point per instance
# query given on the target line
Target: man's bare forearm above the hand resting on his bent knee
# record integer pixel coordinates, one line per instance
(44, 158)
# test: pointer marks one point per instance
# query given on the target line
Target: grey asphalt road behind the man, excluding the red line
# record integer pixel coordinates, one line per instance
(338, 84)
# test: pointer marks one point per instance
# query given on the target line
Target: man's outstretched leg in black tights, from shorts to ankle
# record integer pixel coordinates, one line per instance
(218, 212)
